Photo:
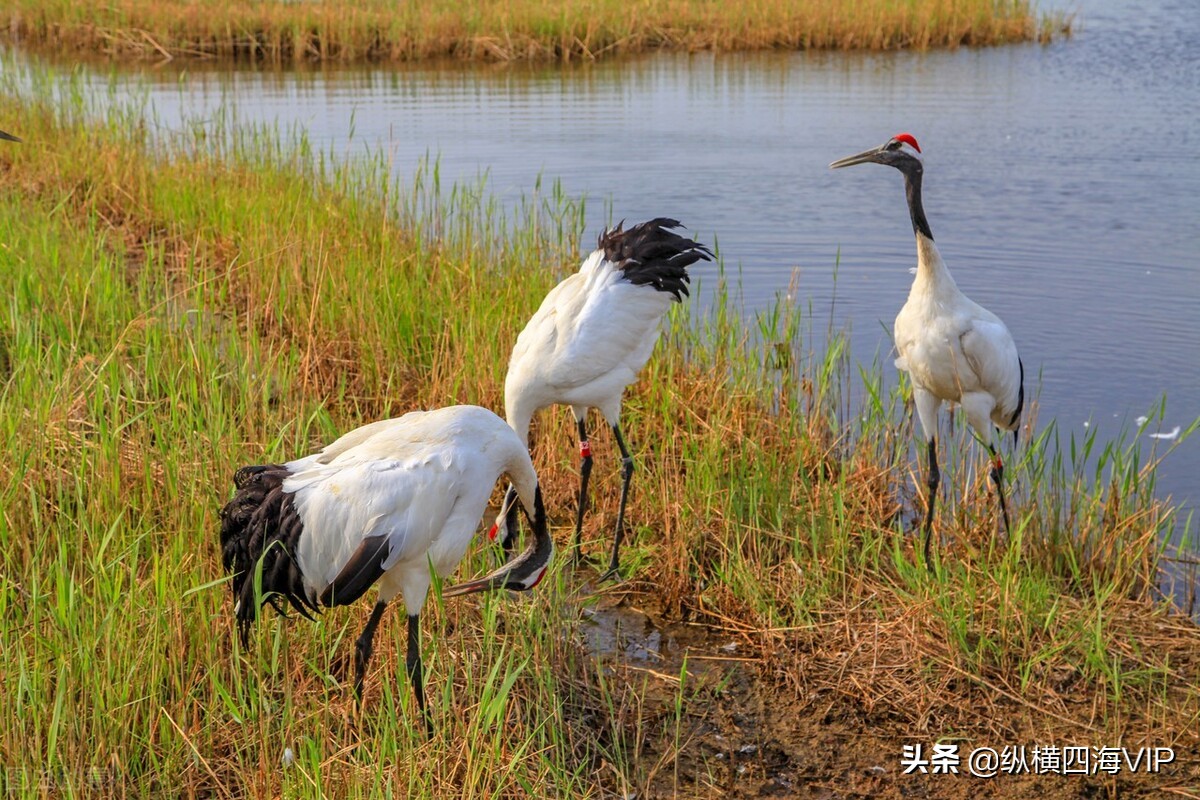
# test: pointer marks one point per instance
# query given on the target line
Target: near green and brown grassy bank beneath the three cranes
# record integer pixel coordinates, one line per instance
(177, 309)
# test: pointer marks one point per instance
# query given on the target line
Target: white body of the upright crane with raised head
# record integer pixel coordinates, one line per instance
(956, 351)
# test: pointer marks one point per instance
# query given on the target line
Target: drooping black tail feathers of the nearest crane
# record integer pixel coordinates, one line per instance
(260, 533)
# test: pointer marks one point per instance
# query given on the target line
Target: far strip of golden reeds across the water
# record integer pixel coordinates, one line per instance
(375, 31)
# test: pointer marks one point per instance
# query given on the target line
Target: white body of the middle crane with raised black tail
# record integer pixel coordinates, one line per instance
(587, 342)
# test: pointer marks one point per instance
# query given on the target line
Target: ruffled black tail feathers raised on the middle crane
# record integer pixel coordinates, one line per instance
(650, 254)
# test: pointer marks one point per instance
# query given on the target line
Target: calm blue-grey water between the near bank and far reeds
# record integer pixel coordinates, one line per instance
(1061, 182)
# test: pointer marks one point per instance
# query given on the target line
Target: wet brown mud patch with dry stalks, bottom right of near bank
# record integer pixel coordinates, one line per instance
(710, 723)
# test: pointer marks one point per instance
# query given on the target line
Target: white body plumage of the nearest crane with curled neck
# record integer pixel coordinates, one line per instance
(421, 482)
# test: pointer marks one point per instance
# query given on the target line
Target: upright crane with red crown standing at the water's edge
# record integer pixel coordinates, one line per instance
(955, 350)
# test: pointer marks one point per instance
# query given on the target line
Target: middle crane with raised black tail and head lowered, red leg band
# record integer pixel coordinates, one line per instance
(591, 338)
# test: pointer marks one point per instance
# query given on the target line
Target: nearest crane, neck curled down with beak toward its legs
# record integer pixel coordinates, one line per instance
(381, 504)
